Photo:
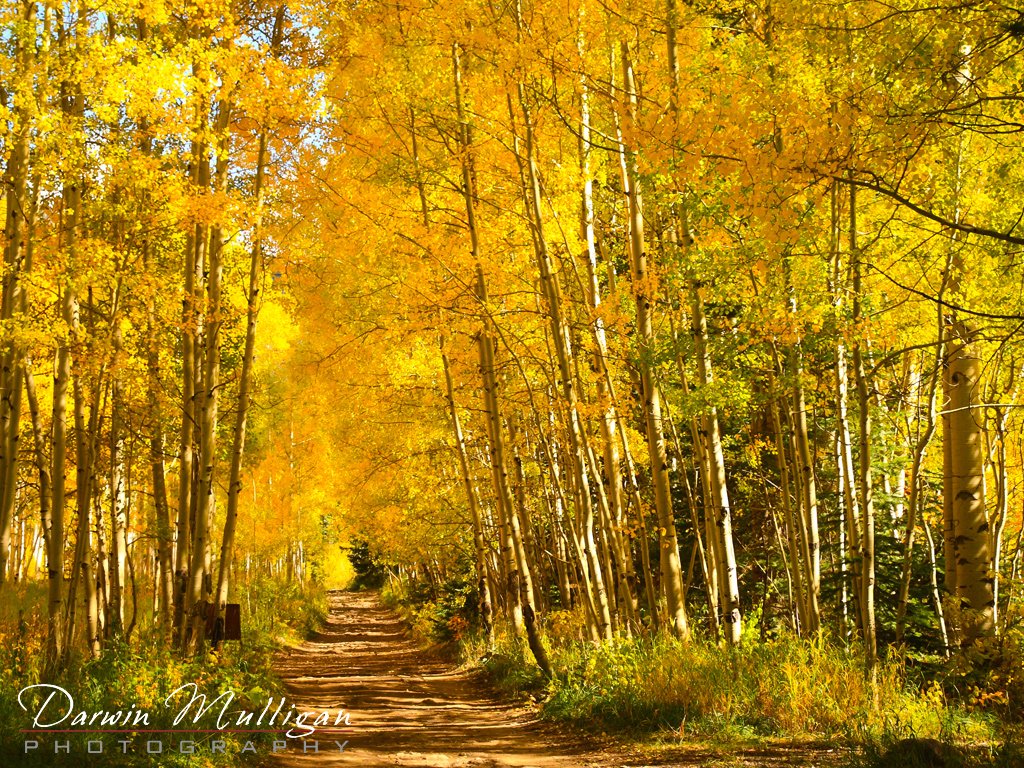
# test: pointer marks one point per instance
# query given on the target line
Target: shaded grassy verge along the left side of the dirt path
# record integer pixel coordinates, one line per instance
(143, 673)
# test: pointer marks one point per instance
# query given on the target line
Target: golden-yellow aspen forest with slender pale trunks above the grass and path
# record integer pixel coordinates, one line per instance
(704, 319)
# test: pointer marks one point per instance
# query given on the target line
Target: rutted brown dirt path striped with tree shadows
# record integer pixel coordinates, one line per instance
(410, 707)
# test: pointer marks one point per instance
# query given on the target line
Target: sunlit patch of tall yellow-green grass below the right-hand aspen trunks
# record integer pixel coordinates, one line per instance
(785, 688)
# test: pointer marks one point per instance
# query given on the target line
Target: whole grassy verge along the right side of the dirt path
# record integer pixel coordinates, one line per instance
(786, 695)
